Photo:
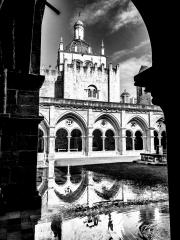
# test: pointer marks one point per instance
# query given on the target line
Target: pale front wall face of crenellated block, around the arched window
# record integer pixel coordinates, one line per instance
(77, 80)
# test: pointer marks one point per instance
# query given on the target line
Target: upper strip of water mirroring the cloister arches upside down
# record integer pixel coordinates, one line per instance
(73, 186)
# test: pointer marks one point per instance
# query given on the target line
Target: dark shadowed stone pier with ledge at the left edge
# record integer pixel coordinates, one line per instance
(19, 139)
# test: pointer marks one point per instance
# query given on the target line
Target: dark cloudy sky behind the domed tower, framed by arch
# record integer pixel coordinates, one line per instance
(116, 22)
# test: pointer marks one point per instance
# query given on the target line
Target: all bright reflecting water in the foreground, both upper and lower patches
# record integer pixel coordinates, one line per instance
(81, 204)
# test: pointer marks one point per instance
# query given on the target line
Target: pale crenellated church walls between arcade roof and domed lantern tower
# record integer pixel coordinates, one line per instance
(76, 77)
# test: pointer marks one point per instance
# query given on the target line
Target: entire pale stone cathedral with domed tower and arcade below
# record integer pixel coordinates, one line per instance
(85, 114)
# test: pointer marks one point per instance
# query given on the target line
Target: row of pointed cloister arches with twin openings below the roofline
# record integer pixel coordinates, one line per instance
(105, 136)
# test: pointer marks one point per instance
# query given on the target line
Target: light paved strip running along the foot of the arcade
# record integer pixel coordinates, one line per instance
(94, 160)
